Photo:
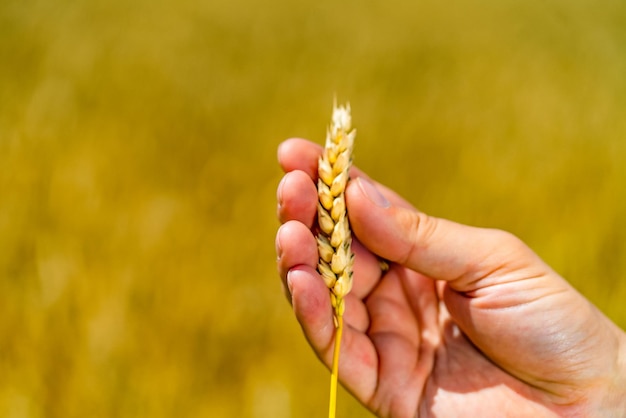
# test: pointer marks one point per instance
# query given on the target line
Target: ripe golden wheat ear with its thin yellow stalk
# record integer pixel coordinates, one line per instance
(334, 238)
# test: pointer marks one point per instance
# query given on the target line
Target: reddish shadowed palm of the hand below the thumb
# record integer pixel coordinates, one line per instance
(416, 362)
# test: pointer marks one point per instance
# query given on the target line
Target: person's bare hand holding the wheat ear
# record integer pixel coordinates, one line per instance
(466, 322)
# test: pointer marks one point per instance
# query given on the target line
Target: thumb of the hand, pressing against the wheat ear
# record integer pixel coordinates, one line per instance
(435, 247)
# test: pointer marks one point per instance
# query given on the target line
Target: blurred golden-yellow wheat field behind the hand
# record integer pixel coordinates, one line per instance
(138, 176)
